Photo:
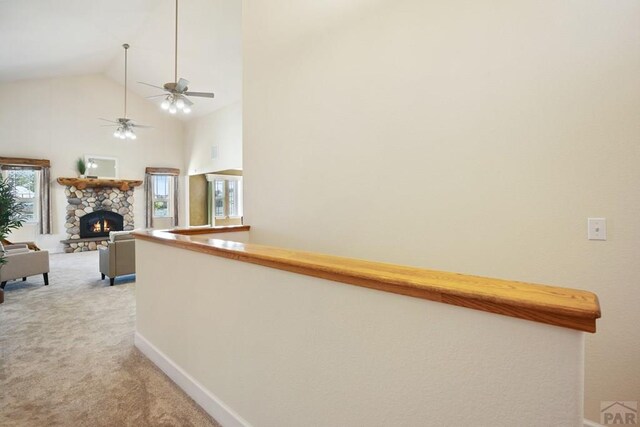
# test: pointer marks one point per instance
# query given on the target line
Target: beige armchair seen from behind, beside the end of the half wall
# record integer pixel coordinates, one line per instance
(119, 257)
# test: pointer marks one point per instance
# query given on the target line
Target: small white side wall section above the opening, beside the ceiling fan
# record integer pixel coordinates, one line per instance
(223, 129)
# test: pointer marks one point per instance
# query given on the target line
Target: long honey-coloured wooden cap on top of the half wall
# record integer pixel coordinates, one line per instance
(570, 308)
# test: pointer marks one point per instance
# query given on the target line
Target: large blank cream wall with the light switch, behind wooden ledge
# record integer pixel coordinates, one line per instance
(465, 136)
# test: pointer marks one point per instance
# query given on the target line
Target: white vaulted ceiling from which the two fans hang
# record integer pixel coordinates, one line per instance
(51, 38)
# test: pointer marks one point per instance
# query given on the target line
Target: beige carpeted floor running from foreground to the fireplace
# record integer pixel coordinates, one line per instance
(67, 356)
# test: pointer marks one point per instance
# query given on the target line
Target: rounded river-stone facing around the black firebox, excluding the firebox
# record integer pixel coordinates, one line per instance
(81, 202)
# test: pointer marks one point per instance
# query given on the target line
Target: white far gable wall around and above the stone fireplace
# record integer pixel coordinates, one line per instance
(57, 119)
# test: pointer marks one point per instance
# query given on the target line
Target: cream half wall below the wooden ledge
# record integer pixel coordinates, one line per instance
(281, 349)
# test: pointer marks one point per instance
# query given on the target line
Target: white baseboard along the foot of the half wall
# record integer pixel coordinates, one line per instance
(203, 397)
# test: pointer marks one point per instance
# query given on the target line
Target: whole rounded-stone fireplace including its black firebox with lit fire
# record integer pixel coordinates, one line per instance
(93, 212)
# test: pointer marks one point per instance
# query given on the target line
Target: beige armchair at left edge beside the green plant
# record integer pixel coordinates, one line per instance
(22, 263)
